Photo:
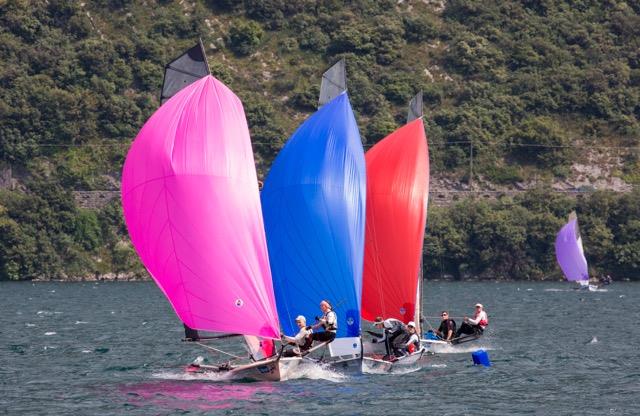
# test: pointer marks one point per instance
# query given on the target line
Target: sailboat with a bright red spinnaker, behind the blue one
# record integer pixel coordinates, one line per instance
(397, 198)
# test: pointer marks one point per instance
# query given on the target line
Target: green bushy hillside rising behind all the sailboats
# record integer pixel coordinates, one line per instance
(519, 80)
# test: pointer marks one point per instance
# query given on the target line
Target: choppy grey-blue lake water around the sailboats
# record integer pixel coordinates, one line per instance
(114, 348)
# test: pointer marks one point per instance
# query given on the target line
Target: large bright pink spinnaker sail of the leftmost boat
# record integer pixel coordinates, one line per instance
(191, 203)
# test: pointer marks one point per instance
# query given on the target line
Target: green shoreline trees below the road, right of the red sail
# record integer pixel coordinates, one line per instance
(513, 238)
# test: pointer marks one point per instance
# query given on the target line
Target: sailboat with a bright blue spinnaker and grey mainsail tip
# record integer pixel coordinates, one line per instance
(313, 202)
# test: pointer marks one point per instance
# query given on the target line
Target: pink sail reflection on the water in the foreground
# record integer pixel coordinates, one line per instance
(192, 395)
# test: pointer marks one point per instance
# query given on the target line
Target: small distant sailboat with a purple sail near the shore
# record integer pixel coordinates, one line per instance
(570, 254)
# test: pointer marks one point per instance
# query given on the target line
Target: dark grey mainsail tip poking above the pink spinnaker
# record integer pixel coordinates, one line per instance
(184, 70)
